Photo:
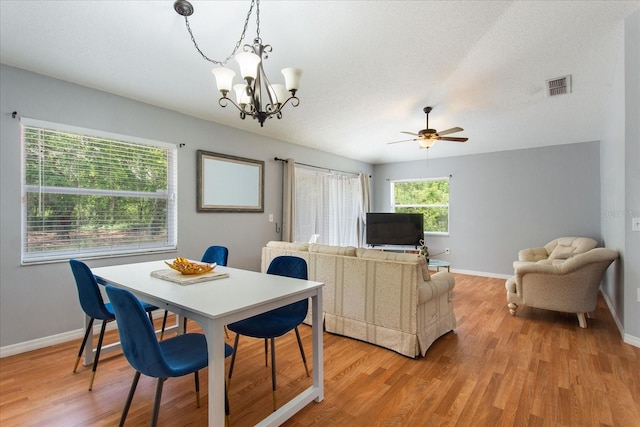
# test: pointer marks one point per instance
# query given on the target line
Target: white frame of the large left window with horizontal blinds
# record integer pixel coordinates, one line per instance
(41, 257)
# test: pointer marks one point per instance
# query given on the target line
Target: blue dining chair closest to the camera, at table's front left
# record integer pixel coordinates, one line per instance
(177, 356)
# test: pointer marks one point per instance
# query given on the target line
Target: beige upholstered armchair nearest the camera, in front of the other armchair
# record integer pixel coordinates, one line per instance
(570, 286)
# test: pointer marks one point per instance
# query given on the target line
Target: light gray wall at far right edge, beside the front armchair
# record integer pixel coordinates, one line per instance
(620, 191)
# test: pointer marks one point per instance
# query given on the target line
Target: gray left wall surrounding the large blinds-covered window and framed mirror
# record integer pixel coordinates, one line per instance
(40, 301)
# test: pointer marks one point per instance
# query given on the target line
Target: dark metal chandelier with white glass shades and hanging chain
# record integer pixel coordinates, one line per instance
(256, 96)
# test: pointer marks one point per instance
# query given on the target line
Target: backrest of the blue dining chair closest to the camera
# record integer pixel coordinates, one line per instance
(137, 337)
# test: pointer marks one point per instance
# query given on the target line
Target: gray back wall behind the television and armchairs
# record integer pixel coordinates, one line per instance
(503, 202)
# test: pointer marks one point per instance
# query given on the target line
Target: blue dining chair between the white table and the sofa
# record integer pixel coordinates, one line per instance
(277, 322)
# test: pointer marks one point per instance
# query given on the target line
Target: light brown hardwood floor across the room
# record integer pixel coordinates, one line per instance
(535, 369)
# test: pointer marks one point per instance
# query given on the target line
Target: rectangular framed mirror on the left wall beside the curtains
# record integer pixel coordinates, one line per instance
(229, 183)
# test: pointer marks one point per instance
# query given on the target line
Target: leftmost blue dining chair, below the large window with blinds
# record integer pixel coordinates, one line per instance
(94, 306)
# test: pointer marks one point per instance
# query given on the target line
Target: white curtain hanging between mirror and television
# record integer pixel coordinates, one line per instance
(329, 205)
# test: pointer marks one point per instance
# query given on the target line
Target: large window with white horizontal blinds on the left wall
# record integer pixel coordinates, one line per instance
(89, 194)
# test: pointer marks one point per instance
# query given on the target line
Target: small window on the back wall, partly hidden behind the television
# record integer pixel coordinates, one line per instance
(427, 196)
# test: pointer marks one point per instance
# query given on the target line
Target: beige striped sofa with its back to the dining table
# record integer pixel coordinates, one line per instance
(384, 298)
